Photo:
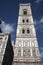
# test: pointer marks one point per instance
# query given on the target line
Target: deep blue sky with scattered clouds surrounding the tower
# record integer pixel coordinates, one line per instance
(9, 11)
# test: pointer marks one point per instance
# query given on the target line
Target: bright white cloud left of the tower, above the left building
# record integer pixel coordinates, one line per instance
(7, 27)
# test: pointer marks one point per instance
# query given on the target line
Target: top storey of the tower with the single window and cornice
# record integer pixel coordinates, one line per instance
(25, 8)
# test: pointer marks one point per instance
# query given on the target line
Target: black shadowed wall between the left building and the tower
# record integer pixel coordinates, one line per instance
(9, 54)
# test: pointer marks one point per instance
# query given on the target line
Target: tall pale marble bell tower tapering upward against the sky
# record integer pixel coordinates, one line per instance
(26, 50)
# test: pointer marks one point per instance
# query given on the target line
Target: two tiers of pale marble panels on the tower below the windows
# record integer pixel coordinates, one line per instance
(28, 48)
